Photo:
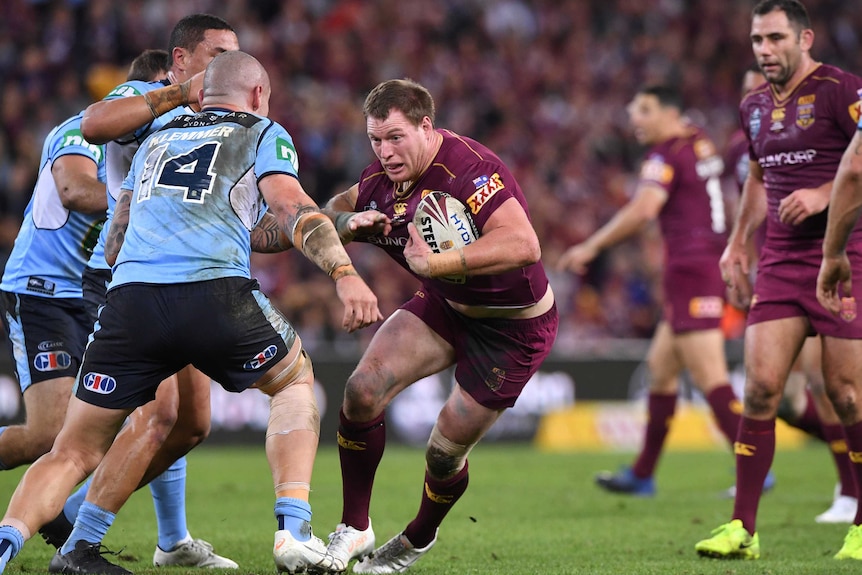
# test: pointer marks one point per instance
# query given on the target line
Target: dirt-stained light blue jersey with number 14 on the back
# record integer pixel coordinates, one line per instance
(195, 197)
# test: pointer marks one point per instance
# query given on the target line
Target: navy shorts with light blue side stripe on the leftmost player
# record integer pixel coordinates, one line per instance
(46, 335)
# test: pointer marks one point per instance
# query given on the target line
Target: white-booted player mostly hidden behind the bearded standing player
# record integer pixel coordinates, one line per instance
(804, 404)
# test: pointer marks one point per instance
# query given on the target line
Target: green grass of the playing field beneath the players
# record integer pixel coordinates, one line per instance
(526, 512)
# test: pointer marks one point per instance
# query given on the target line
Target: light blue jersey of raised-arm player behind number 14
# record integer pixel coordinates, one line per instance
(119, 154)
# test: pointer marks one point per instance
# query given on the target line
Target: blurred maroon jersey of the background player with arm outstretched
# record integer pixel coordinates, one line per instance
(692, 220)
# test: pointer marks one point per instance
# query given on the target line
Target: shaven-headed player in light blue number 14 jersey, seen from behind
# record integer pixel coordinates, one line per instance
(208, 177)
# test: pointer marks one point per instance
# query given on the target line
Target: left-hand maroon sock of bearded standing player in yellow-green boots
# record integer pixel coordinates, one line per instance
(755, 449)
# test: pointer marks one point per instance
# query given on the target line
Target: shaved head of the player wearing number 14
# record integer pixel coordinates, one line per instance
(236, 80)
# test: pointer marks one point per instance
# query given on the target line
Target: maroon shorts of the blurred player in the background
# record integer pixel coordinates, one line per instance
(693, 294)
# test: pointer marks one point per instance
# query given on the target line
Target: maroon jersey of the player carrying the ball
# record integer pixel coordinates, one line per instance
(472, 173)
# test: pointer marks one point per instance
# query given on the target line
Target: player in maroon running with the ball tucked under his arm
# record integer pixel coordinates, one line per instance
(496, 328)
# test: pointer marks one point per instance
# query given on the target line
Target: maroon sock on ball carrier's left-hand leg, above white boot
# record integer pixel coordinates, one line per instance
(360, 448)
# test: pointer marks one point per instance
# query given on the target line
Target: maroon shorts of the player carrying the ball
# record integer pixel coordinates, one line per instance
(495, 357)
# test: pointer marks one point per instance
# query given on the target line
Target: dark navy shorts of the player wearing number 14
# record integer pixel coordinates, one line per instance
(224, 327)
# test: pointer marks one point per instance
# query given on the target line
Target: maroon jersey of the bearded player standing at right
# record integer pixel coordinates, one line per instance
(799, 141)
